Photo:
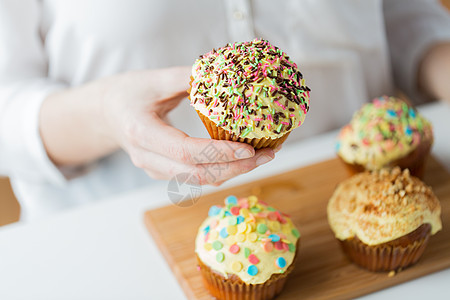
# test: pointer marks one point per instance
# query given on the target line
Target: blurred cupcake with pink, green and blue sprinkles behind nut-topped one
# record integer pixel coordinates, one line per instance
(387, 132)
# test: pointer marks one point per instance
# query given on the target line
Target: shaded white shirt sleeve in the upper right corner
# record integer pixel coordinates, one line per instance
(412, 27)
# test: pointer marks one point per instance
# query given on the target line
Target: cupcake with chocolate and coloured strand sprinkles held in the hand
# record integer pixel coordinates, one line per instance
(249, 92)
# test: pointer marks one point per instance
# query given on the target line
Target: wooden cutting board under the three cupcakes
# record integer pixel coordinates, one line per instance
(322, 271)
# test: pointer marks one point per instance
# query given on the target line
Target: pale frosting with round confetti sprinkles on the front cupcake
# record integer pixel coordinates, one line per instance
(250, 236)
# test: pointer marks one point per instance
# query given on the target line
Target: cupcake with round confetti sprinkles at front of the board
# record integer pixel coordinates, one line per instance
(246, 249)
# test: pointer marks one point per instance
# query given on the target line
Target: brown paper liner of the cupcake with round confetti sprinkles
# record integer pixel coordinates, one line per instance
(233, 288)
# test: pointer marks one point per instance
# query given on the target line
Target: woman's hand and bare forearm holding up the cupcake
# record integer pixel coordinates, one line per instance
(128, 111)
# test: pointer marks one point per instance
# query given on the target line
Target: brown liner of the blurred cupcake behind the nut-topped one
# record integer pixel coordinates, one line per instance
(415, 161)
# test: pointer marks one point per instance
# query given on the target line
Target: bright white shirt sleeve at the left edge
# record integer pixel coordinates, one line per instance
(23, 87)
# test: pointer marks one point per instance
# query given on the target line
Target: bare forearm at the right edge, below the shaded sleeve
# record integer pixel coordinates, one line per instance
(434, 72)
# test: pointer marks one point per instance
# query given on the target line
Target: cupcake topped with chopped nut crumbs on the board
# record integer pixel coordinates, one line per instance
(383, 219)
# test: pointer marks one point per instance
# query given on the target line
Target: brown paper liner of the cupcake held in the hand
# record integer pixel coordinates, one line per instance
(219, 133)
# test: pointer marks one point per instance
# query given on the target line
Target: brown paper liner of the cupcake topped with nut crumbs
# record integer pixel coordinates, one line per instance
(390, 256)
